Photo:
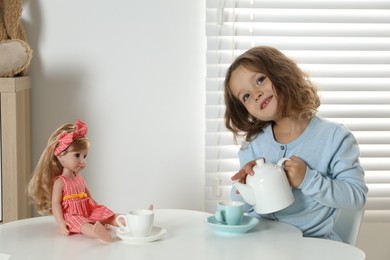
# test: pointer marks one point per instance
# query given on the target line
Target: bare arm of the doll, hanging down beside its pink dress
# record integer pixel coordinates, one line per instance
(57, 208)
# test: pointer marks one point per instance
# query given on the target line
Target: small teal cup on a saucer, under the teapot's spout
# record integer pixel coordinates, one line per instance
(229, 212)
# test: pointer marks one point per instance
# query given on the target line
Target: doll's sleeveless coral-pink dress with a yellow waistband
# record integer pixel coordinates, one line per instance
(77, 207)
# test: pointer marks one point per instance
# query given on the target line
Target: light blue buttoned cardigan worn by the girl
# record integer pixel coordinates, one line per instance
(334, 177)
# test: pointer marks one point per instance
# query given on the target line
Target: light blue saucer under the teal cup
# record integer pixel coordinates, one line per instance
(247, 224)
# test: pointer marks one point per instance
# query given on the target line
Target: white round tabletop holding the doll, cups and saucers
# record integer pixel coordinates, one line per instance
(188, 237)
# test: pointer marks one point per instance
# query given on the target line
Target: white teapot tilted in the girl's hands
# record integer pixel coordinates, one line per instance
(268, 189)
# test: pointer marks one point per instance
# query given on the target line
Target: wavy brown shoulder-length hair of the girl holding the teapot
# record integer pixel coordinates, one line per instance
(296, 94)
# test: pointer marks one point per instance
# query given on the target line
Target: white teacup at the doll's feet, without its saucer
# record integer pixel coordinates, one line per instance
(138, 222)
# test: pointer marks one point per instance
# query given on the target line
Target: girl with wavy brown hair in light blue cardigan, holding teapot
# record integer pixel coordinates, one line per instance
(273, 104)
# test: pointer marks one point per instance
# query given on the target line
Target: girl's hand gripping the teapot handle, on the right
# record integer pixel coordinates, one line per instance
(295, 169)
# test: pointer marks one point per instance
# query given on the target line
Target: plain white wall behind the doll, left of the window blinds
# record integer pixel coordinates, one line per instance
(134, 72)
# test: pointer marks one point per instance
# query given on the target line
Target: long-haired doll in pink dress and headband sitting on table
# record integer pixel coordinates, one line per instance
(57, 187)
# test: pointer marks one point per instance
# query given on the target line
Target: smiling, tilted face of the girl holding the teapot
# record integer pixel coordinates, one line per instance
(254, 90)
